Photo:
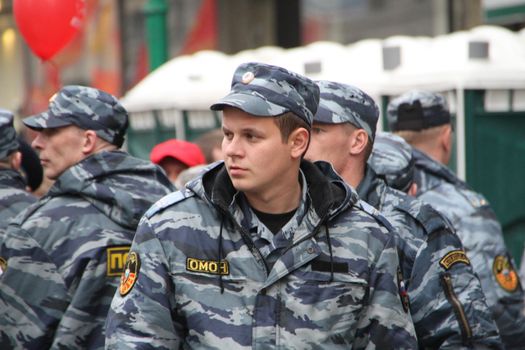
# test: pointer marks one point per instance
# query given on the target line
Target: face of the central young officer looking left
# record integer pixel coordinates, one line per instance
(254, 153)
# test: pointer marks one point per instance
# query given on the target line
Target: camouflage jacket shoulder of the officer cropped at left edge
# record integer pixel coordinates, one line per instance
(13, 196)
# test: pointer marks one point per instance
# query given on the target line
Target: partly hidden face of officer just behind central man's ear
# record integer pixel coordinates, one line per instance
(331, 143)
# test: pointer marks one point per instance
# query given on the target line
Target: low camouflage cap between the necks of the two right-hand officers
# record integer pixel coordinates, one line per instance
(392, 158)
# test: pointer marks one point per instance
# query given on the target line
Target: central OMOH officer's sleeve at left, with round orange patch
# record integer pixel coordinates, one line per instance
(142, 312)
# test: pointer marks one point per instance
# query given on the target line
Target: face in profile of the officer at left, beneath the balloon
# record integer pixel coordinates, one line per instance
(60, 148)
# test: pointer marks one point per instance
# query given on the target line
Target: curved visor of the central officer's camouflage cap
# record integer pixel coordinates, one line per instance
(252, 104)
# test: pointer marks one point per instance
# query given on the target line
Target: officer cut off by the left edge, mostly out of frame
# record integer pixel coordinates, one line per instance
(13, 195)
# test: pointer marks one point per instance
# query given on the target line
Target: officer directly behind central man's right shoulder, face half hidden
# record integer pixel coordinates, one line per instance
(445, 297)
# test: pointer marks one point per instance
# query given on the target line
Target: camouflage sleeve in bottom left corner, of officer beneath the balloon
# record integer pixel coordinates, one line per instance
(33, 295)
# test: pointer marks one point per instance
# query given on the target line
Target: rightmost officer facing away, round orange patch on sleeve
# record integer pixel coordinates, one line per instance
(422, 118)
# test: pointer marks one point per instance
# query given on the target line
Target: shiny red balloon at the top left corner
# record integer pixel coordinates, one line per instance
(48, 25)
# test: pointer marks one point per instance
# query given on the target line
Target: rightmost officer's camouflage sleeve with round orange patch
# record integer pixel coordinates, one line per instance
(483, 239)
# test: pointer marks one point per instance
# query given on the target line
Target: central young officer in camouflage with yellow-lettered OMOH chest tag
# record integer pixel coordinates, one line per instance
(264, 250)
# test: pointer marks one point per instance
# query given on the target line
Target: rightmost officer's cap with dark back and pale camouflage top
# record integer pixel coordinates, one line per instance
(417, 110)
